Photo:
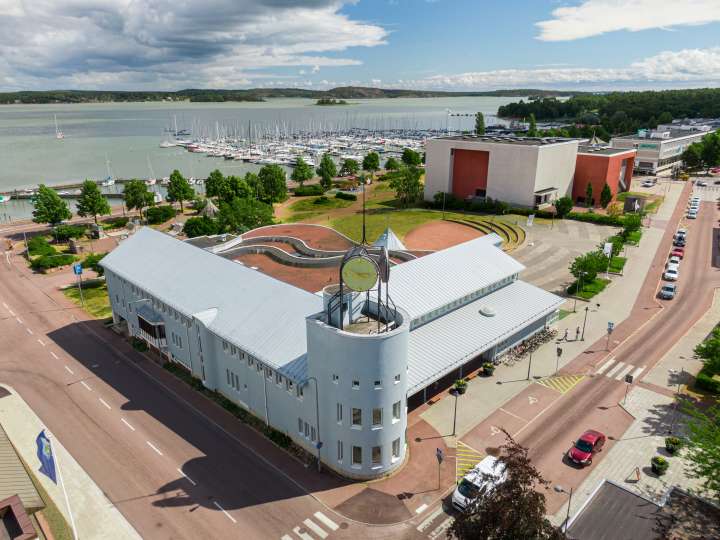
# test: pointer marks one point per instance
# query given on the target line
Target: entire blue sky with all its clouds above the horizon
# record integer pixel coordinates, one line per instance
(426, 44)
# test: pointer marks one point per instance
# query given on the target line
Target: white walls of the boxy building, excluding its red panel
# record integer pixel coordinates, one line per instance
(517, 168)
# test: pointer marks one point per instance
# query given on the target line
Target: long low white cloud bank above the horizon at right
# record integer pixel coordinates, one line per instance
(695, 66)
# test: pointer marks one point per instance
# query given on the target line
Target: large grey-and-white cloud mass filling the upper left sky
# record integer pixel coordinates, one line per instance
(170, 43)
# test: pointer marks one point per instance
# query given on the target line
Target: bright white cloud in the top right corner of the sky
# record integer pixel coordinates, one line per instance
(595, 17)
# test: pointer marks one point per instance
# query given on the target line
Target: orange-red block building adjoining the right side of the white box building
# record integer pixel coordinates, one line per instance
(598, 166)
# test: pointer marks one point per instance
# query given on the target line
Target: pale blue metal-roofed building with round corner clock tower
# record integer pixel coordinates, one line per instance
(337, 370)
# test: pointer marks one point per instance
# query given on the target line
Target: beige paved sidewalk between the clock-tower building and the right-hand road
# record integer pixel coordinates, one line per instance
(485, 395)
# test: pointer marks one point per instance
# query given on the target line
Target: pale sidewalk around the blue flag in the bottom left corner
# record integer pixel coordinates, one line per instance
(95, 516)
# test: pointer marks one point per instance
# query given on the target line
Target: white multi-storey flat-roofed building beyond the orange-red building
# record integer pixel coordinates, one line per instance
(660, 149)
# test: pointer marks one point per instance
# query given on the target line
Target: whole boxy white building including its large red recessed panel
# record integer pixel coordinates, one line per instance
(523, 171)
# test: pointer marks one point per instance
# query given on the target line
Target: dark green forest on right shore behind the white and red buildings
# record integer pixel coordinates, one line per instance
(620, 112)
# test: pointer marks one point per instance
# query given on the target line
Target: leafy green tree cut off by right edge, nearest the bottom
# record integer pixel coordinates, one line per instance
(703, 452)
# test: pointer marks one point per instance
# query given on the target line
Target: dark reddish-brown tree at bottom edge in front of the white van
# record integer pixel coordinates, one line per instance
(515, 508)
